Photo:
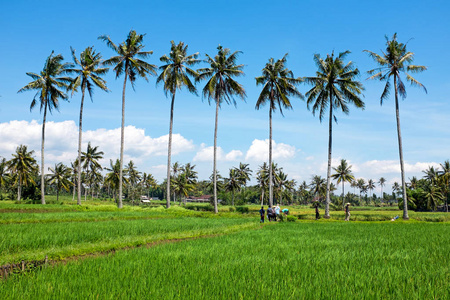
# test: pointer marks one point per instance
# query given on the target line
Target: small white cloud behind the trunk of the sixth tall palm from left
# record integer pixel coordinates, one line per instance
(259, 151)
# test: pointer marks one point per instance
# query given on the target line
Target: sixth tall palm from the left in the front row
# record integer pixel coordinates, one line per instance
(278, 85)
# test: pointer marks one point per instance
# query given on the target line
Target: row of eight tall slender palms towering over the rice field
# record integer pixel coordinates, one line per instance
(334, 88)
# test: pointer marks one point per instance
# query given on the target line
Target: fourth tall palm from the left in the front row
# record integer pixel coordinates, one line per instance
(175, 74)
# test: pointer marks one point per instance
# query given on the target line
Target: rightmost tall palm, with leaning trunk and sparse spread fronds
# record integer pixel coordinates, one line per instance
(394, 61)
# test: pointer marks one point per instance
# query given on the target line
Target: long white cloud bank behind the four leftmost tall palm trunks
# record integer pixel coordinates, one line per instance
(61, 141)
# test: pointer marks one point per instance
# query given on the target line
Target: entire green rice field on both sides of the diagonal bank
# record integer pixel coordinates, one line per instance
(180, 254)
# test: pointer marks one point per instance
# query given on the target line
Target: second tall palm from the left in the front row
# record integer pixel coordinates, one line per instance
(88, 76)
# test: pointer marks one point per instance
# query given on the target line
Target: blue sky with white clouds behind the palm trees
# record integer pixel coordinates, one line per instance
(260, 29)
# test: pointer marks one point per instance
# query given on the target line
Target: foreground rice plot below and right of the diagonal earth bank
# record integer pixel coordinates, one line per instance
(302, 260)
